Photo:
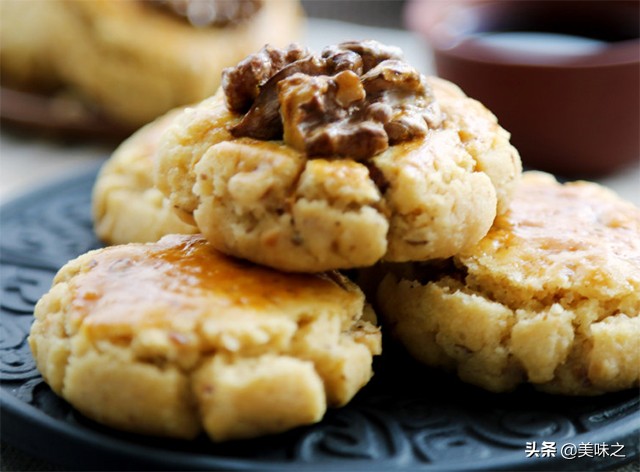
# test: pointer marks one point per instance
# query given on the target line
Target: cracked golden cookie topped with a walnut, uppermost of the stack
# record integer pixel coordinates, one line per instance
(309, 162)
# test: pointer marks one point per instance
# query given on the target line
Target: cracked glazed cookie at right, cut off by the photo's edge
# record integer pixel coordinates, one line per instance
(551, 296)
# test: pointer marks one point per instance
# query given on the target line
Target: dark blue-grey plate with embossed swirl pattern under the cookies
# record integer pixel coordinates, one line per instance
(408, 417)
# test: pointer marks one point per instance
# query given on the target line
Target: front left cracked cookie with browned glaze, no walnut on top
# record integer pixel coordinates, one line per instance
(172, 338)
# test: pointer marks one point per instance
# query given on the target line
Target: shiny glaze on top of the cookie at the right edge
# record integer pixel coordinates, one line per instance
(572, 225)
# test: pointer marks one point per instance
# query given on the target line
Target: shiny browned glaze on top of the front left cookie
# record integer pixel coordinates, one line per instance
(182, 275)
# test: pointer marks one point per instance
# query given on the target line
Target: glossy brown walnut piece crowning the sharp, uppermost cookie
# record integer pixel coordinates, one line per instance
(353, 100)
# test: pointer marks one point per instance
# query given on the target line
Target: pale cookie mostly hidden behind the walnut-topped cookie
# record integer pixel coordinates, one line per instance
(126, 205)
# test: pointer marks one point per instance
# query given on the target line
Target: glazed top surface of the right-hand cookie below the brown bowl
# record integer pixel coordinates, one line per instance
(557, 236)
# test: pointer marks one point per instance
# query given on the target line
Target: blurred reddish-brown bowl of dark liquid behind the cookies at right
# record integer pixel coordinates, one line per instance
(562, 76)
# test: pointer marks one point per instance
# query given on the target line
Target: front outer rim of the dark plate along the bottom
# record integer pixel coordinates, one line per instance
(116, 451)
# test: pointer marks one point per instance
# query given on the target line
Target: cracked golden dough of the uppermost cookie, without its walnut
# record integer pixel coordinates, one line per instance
(430, 196)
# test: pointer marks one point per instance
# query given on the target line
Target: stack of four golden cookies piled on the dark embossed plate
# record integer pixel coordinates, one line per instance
(301, 165)
